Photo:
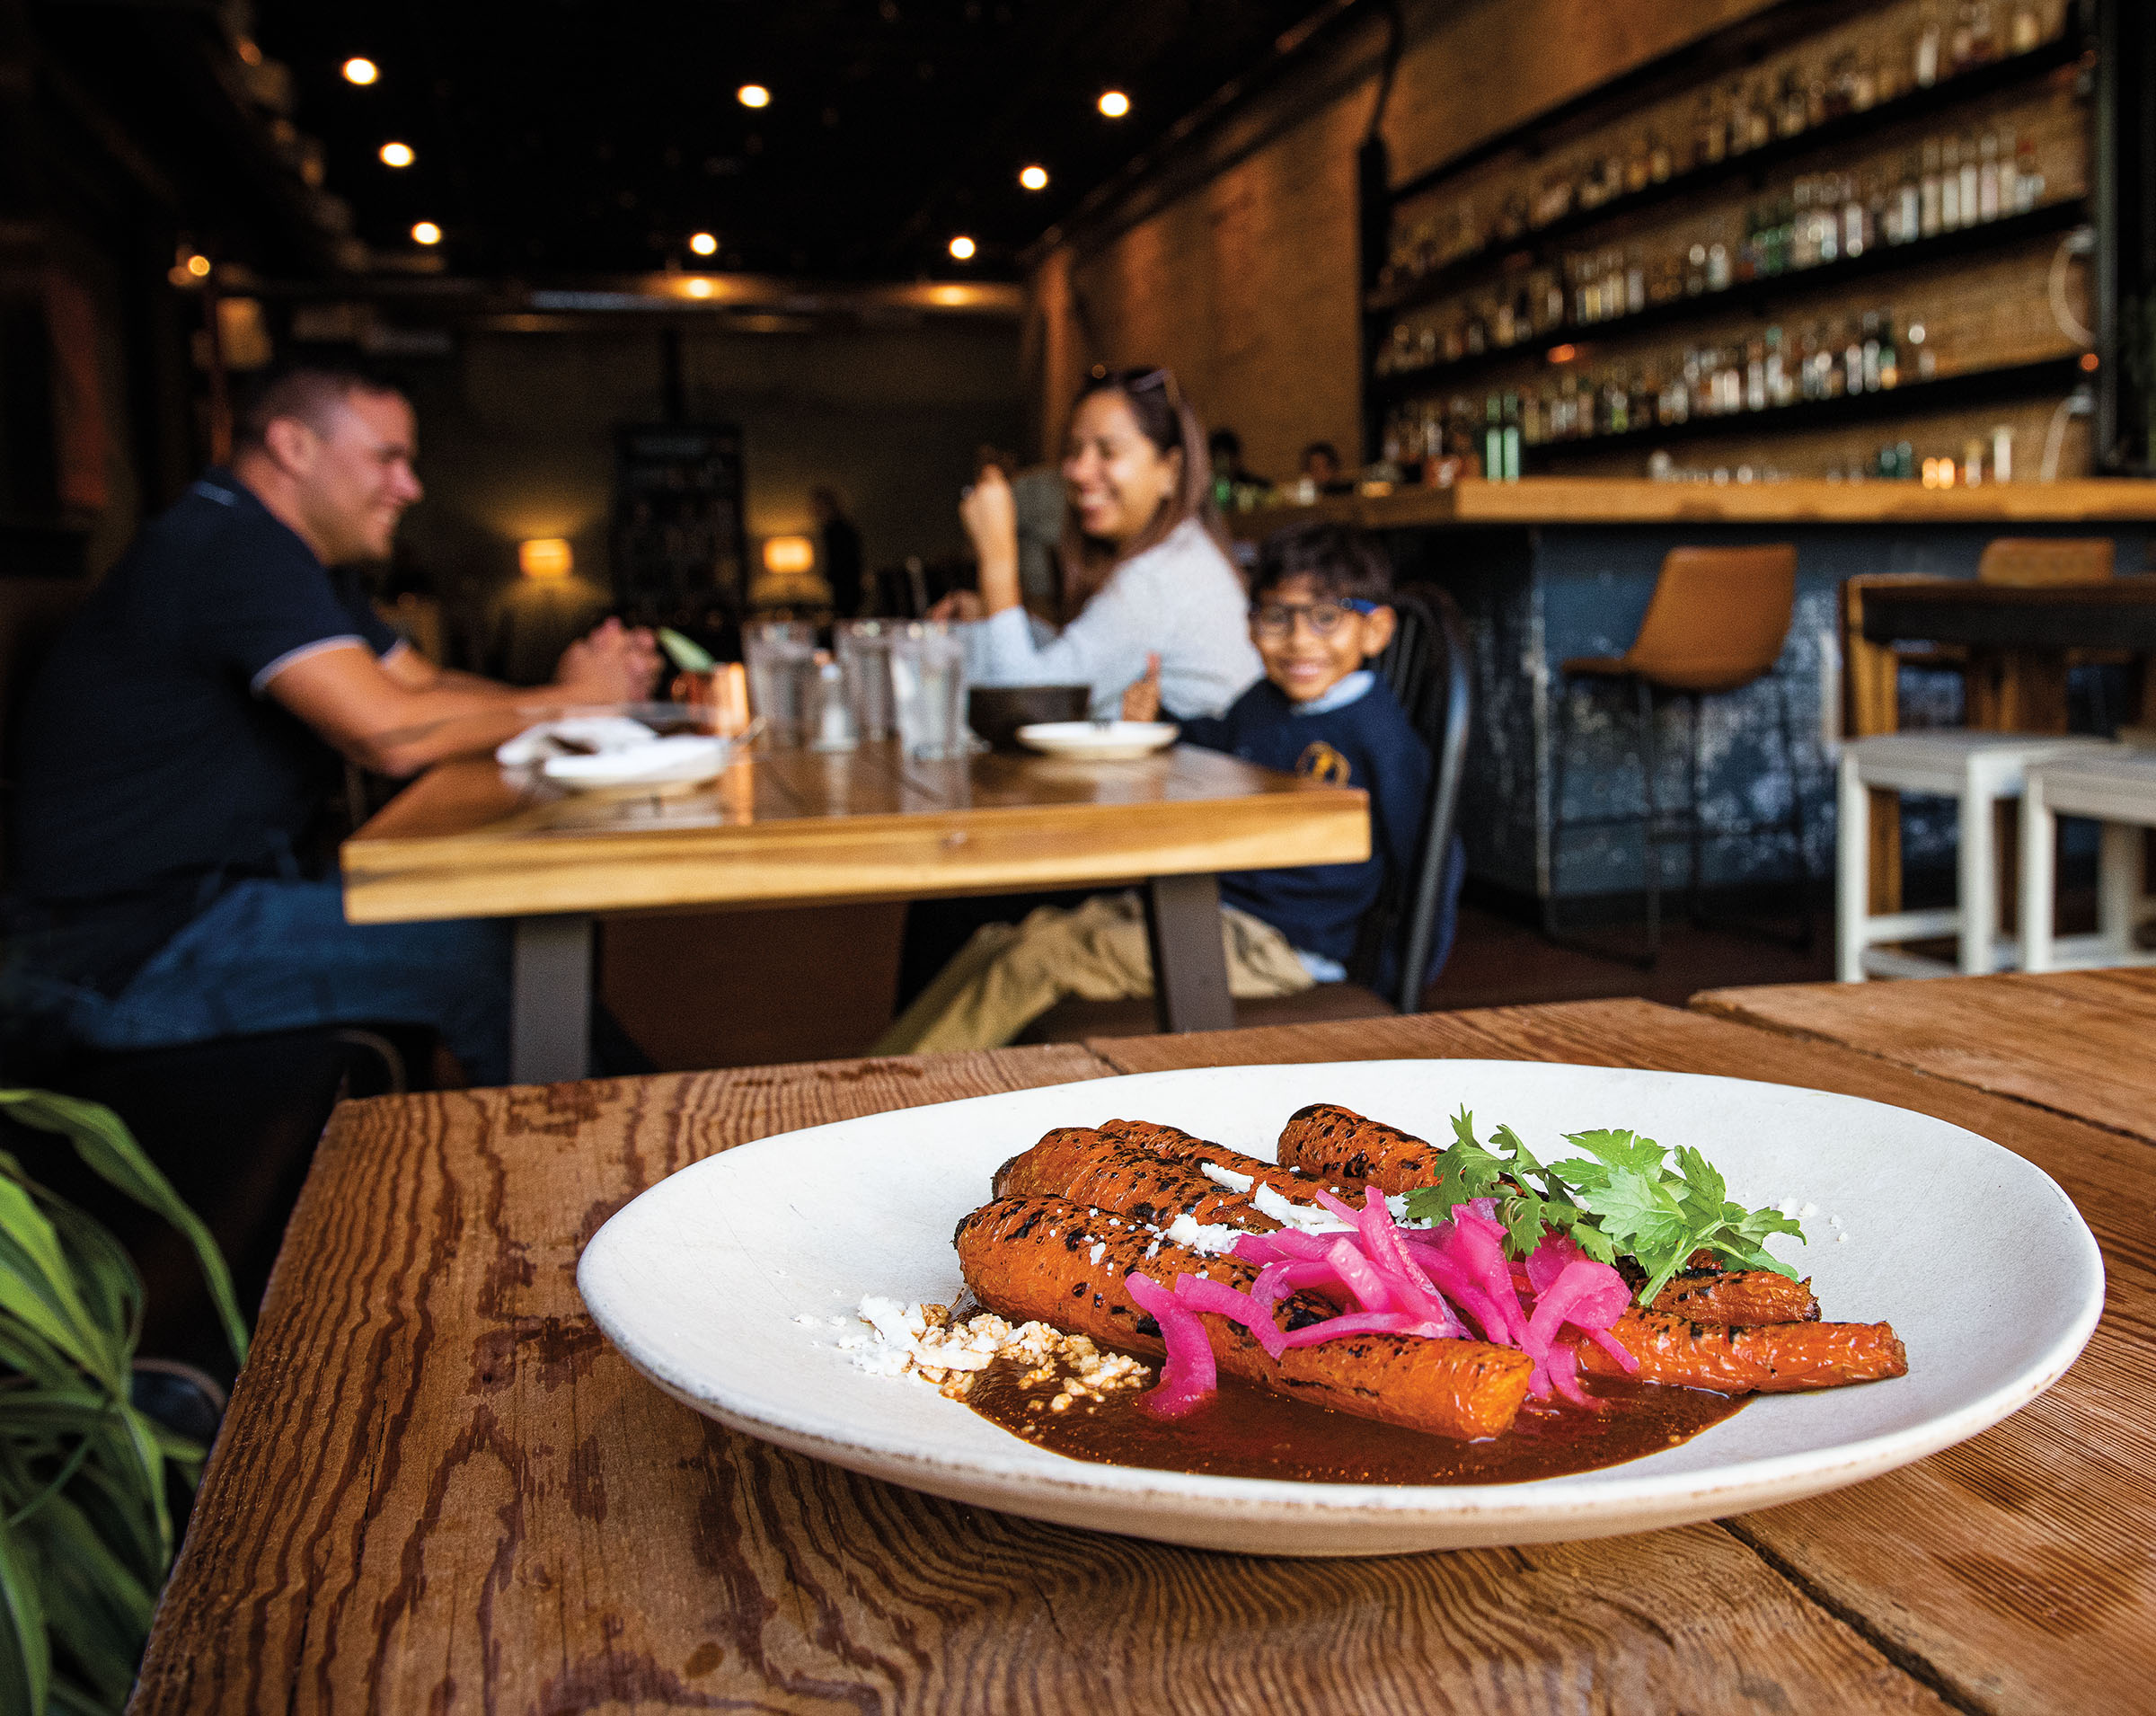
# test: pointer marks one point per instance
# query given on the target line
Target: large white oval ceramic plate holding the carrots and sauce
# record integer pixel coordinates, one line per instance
(700, 1284)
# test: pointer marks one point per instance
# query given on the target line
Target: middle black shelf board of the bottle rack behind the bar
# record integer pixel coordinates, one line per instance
(1758, 292)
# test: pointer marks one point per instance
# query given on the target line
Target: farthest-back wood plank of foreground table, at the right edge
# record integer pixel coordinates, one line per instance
(2075, 1042)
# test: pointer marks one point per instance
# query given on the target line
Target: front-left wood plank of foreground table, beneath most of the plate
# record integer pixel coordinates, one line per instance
(441, 1491)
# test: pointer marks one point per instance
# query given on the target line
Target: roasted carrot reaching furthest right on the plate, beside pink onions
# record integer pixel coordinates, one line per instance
(1771, 1359)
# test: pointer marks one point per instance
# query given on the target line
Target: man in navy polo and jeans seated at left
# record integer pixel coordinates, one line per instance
(167, 872)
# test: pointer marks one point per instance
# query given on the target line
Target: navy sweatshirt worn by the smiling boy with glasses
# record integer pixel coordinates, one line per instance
(1364, 743)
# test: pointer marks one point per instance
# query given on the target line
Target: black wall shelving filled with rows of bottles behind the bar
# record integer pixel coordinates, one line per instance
(1834, 232)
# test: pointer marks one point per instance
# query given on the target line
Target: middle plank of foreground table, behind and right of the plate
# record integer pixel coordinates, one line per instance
(2015, 1573)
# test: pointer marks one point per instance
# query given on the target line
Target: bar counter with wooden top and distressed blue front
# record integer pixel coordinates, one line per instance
(1551, 568)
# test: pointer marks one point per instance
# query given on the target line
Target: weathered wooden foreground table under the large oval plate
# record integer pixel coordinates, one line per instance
(439, 1489)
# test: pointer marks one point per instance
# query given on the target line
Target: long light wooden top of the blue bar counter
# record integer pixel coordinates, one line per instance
(1637, 501)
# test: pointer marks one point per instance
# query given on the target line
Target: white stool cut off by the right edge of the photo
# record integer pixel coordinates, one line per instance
(2118, 788)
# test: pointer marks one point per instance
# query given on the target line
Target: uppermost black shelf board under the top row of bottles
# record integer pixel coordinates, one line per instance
(1534, 240)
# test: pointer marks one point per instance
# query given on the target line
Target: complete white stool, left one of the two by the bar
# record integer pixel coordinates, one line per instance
(1961, 764)
